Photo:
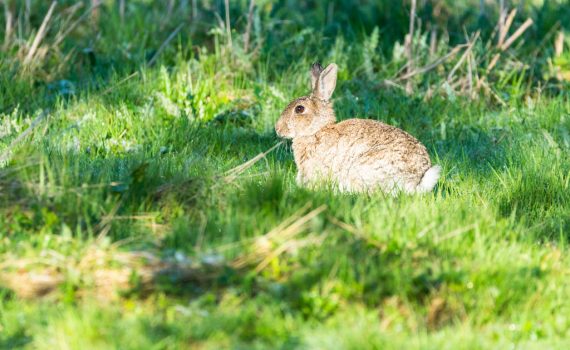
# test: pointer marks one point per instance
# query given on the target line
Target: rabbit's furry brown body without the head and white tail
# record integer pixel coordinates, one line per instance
(361, 154)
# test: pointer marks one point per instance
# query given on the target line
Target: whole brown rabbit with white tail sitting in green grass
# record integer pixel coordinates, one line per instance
(356, 154)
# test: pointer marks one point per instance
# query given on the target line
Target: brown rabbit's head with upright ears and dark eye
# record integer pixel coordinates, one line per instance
(308, 114)
